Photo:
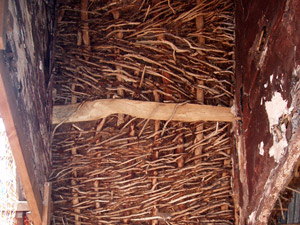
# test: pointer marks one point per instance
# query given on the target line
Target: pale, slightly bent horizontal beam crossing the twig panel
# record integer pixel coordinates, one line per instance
(97, 109)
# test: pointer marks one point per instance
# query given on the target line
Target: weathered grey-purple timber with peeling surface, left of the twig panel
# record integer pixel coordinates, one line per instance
(26, 60)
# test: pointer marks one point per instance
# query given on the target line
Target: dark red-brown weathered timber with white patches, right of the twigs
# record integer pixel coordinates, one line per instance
(270, 51)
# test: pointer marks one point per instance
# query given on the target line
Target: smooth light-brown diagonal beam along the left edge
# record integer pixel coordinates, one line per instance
(19, 144)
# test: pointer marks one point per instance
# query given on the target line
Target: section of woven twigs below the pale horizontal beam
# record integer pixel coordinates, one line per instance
(120, 181)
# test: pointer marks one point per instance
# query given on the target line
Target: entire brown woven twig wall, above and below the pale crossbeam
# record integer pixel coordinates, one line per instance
(124, 170)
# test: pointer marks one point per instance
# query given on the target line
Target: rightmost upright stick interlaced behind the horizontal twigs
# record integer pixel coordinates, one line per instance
(199, 91)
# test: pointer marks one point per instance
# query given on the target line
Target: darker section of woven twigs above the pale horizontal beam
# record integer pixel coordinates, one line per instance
(133, 48)
